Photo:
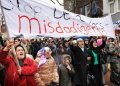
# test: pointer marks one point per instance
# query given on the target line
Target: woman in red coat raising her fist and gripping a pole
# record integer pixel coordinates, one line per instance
(22, 75)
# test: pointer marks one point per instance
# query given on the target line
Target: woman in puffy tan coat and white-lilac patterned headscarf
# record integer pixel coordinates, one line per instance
(47, 74)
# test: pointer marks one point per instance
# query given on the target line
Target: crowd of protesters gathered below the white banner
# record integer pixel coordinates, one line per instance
(51, 61)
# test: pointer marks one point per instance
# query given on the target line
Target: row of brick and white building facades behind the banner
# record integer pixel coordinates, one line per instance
(96, 8)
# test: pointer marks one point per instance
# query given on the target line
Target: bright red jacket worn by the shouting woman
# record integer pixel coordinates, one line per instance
(12, 78)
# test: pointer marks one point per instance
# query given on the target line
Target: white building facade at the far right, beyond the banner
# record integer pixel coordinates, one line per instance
(112, 7)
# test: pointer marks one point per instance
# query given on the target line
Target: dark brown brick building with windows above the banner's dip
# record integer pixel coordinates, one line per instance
(85, 7)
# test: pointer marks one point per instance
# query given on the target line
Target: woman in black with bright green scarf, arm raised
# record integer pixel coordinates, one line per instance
(95, 63)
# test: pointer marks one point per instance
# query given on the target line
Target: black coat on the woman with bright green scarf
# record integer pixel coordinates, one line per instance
(96, 69)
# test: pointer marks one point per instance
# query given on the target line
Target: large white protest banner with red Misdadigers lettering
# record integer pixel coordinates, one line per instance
(31, 18)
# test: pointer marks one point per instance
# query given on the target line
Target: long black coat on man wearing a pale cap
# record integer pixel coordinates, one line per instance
(80, 65)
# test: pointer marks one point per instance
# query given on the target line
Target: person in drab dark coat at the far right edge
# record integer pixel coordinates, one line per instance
(113, 52)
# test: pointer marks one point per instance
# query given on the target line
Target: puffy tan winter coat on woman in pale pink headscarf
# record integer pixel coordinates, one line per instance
(47, 73)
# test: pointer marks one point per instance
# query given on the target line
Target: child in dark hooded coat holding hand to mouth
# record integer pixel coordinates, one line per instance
(65, 71)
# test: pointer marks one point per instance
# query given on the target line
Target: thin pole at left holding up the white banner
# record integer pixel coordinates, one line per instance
(13, 48)
